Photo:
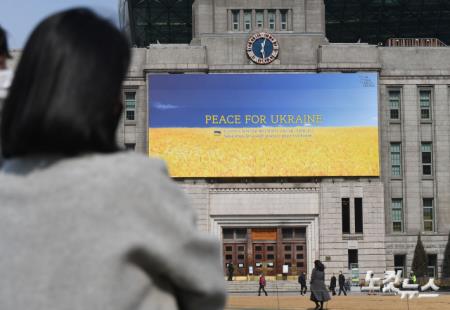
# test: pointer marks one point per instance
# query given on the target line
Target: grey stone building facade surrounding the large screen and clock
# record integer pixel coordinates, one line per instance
(412, 194)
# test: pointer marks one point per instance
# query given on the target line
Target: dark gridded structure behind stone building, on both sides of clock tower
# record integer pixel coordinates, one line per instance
(347, 21)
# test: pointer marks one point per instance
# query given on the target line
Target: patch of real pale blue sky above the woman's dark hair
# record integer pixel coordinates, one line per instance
(19, 17)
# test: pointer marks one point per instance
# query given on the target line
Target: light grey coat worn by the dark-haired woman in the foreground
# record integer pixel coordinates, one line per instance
(102, 232)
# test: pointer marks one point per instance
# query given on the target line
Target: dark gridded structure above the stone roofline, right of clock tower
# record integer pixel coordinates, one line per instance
(375, 21)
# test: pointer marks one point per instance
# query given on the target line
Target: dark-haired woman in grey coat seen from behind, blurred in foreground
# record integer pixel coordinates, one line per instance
(82, 224)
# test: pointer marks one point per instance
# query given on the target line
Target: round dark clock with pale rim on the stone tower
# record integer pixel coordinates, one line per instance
(262, 48)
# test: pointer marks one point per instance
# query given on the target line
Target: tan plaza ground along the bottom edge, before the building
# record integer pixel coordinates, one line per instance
(337, 303)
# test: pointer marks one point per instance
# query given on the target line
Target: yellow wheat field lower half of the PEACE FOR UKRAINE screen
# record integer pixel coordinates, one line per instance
(329, 151)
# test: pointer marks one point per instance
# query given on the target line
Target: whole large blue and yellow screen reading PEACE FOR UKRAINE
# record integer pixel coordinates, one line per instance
(265, 125)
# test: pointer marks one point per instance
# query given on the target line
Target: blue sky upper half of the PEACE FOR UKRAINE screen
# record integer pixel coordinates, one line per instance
(183, 100)
